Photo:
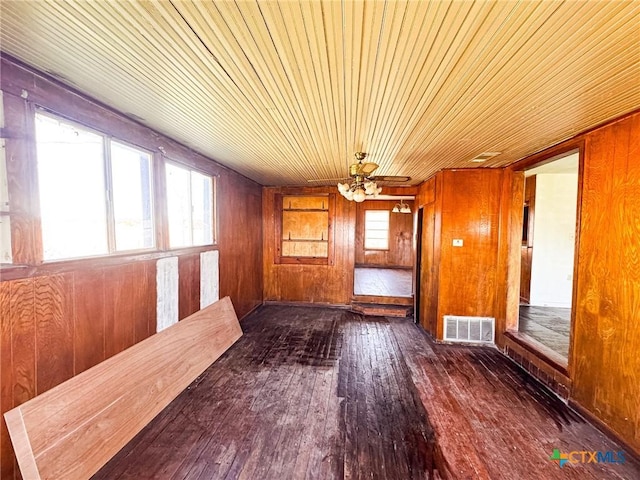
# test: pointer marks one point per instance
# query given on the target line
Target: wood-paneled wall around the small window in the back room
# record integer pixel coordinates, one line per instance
(400, 253)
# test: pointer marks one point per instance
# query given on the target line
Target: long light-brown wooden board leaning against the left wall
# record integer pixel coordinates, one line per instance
(73, 429)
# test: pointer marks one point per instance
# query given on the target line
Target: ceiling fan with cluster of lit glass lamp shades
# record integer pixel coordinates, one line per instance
(361, 183)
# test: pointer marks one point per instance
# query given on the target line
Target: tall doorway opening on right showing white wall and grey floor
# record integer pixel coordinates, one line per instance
(547, 254)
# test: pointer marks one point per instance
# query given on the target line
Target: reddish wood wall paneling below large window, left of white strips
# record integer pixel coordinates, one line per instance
(54, 327)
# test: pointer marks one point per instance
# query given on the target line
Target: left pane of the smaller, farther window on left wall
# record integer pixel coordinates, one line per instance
(179, 205)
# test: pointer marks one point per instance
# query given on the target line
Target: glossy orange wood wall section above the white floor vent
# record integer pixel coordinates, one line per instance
(462, 205)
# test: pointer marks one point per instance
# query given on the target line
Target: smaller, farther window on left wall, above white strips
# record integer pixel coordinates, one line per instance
(190, 204)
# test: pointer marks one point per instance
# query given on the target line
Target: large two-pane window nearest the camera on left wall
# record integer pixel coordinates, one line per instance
(95, 193)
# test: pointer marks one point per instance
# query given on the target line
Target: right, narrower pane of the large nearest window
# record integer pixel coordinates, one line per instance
(132, 208)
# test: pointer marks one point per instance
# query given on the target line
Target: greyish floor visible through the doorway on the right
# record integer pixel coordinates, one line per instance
(547, 325)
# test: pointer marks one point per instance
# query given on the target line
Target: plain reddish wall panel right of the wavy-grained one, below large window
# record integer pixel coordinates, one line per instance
(90, 318)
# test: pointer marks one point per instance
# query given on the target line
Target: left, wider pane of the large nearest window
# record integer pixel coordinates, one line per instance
(72, 190)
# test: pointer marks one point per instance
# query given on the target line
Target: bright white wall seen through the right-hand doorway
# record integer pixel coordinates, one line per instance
(554, 239)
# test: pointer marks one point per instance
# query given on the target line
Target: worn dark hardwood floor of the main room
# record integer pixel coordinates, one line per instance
(324, 393)
